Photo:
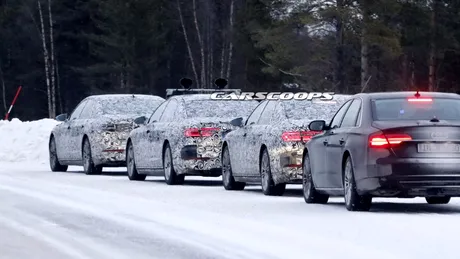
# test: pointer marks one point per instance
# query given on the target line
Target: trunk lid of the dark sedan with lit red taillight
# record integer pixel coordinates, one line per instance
(422, 139)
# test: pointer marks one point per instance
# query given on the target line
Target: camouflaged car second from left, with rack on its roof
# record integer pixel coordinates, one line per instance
(183, 137)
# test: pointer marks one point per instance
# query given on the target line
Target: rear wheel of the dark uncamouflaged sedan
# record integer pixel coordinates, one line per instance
(354, 201)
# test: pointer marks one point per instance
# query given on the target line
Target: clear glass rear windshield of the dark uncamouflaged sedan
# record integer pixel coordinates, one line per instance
(403, 109)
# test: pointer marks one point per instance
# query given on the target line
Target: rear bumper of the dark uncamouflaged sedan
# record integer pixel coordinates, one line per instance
(412, 178)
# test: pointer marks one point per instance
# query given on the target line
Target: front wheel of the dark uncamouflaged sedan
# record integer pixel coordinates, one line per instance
(310, 194)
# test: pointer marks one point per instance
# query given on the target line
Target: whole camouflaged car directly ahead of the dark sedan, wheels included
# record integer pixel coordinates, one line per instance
(268, 148)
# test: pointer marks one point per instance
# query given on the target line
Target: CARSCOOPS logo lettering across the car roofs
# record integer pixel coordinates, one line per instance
(272, 96)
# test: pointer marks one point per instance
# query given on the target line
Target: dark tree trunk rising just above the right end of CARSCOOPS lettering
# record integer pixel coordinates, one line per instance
(339, 70)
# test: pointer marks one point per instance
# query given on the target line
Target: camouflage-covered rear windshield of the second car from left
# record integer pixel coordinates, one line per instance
(219, 108)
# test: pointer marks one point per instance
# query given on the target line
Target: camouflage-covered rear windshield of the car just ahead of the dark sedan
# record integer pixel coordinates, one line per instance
(308, 110)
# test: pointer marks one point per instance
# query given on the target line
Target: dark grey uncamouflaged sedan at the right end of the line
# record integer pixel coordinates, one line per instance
(401, 144)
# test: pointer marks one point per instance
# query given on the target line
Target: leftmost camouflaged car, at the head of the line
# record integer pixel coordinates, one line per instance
(95, 134)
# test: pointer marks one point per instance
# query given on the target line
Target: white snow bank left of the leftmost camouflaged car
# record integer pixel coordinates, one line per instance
(25, 141)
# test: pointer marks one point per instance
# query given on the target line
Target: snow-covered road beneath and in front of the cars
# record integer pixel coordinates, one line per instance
(71, 215)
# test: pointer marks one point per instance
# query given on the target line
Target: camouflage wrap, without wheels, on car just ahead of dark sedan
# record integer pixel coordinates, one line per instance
(247, 143)
